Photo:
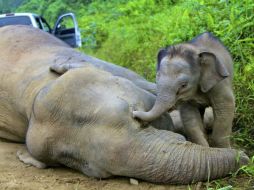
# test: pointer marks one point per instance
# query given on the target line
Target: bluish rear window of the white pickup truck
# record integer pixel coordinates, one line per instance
(23, 20)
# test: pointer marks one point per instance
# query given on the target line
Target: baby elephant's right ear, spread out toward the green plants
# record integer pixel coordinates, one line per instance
(212, 71)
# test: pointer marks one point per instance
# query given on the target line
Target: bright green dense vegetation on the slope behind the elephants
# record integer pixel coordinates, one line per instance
(130, 32)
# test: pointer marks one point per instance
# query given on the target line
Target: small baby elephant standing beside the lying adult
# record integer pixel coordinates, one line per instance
(195, 75)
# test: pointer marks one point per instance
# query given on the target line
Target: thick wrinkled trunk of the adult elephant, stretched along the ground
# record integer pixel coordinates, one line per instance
(165, 157)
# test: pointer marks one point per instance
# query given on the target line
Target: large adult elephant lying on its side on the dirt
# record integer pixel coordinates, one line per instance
(83, 118)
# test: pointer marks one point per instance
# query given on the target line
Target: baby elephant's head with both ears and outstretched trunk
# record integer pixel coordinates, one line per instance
(182, 71)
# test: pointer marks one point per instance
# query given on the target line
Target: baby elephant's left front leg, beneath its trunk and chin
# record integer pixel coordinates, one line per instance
(193, 124)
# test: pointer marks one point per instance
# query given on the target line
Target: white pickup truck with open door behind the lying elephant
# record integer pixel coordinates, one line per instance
(66, 26)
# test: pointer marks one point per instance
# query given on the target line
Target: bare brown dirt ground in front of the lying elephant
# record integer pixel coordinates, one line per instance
(15, 175)
